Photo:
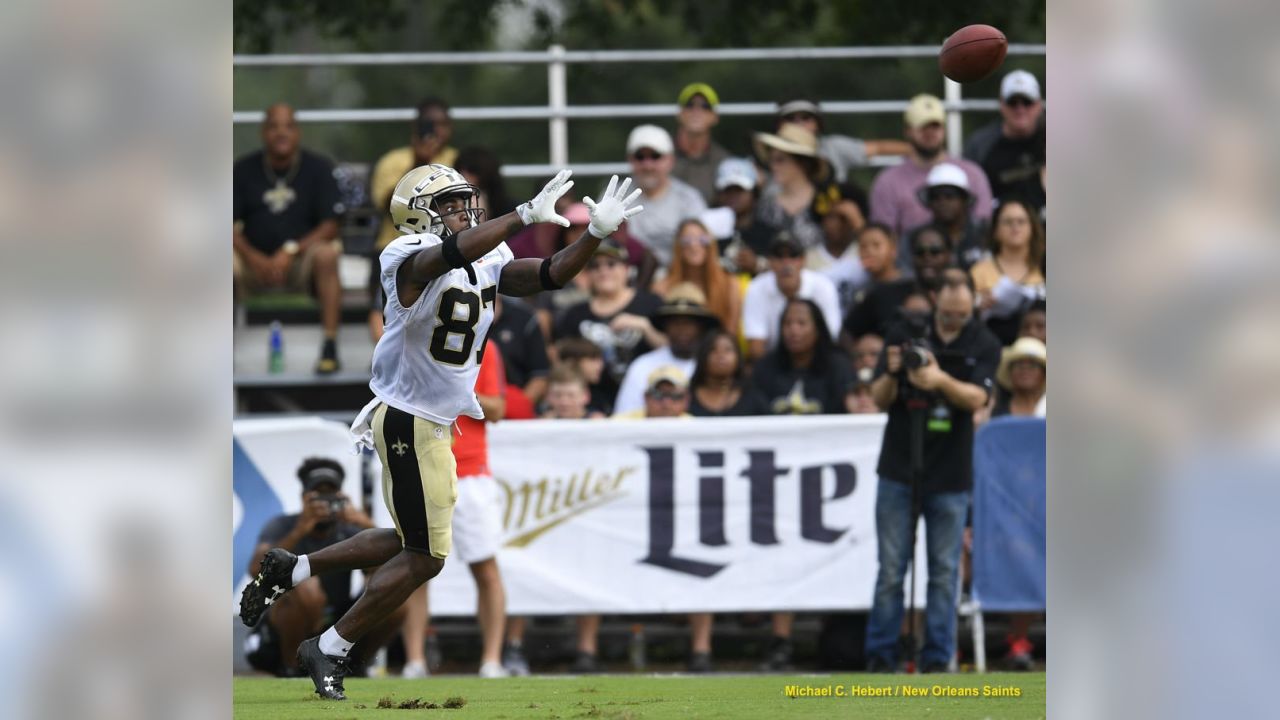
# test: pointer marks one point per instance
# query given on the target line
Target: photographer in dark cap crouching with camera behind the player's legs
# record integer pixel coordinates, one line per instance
(328, 517)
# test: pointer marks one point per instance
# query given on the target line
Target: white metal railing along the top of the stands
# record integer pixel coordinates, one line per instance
(559, 112)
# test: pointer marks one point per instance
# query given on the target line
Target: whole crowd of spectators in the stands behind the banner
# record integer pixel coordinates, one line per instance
(761, 285)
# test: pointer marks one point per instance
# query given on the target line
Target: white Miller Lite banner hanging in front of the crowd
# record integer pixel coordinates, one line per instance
(680, 516)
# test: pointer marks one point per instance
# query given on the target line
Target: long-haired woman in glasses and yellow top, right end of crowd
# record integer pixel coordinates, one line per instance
(1011, 279)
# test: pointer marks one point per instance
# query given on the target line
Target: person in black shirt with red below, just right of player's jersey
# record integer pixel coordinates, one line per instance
(524, 353)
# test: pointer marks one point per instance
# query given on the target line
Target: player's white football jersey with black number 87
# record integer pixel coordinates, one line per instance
(429, 356)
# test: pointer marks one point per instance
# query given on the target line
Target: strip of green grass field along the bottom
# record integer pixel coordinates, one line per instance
(643, 698)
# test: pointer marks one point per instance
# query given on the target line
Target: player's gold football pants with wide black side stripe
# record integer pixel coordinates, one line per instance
(420, 481)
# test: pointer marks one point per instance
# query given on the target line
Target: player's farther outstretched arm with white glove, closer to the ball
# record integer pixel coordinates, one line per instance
(528, 276)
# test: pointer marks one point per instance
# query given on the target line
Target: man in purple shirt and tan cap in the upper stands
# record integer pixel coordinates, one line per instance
(895, 194)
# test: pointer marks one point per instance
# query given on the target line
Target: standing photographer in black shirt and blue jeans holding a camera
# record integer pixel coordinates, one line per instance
(934, 373)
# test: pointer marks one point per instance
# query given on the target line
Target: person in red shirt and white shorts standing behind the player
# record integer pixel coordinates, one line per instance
(478, 518)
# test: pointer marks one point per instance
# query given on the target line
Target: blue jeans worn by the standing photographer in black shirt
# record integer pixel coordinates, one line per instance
(944, 521)
